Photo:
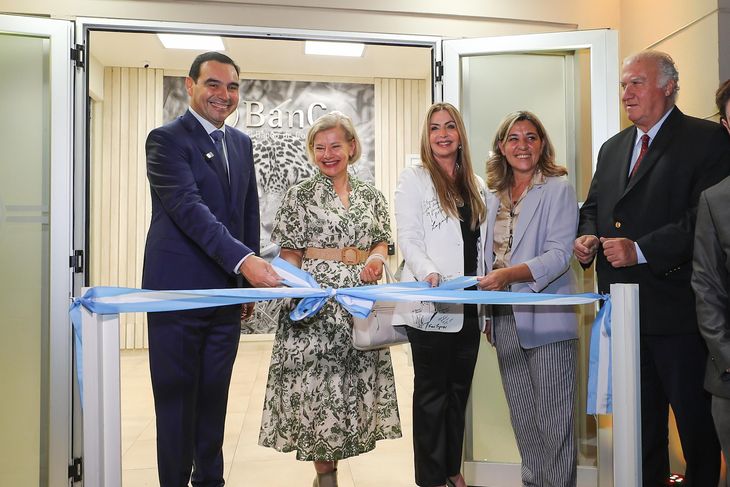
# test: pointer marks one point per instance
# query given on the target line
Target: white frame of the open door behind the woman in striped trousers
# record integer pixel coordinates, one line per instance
(604, 79)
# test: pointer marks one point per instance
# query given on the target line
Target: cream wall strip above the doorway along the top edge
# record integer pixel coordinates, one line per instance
(466, 18)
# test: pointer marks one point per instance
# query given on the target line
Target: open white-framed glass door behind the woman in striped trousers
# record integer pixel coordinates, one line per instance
(570, 81)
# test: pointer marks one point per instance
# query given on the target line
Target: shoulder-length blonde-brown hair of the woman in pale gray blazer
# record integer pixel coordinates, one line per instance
(499, 173)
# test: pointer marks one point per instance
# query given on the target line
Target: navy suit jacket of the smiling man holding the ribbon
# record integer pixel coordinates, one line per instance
(201, 225)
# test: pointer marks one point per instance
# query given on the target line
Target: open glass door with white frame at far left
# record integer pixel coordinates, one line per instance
(35, 245)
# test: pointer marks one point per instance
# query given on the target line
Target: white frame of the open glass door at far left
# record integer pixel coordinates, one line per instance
(58, 388)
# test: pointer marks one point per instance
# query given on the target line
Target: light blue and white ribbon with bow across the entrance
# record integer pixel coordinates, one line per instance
(358, 301)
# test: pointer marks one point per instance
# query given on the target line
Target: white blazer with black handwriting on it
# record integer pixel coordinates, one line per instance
(431, 241)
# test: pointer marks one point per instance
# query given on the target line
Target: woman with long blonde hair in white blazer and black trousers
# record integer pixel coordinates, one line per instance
(440, 214)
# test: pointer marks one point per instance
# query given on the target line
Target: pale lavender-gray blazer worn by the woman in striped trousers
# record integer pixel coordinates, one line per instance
(543, 239)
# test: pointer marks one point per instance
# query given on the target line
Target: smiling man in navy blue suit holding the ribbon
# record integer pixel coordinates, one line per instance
(204, 234)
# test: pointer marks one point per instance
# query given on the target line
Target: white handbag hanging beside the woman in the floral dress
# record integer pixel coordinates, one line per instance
(377, 330)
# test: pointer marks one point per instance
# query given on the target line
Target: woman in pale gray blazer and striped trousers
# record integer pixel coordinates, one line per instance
(532, 219)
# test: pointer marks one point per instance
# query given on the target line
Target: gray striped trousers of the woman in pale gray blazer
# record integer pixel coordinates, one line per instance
(539, 384)
